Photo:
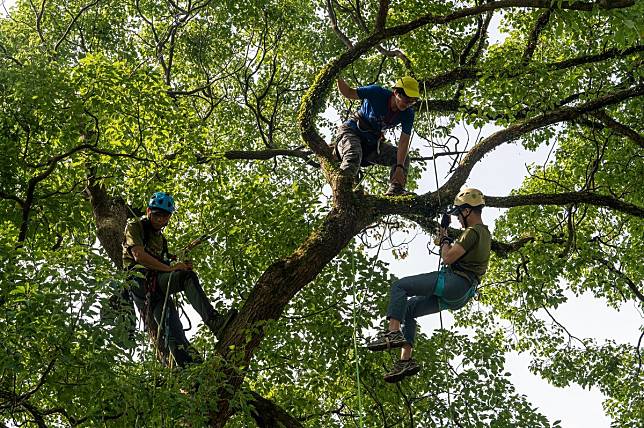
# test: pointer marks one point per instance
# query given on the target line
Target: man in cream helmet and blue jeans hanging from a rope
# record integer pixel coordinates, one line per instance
(465, 263)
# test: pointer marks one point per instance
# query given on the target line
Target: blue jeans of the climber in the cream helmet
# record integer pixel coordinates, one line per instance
(421, 288)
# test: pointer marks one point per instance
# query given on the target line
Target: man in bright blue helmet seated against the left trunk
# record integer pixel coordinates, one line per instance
(145, 250)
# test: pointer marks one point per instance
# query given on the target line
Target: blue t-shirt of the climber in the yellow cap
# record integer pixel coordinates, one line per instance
(375, 109)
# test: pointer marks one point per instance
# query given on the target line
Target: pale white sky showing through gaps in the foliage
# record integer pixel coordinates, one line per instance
(585, 316)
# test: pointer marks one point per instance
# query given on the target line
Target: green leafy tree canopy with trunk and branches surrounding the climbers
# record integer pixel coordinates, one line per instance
(209, 101)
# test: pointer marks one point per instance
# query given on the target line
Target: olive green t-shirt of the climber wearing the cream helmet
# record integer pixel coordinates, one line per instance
(477, 242)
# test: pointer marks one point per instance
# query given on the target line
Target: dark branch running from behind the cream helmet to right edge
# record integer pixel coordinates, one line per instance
(565, 198)
